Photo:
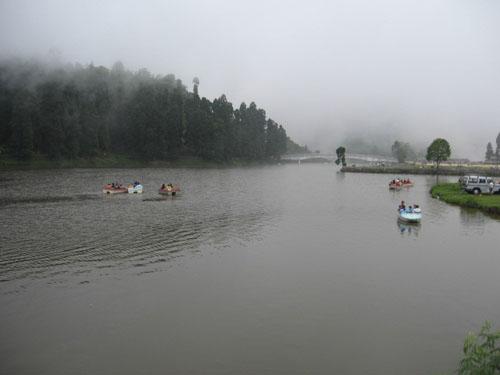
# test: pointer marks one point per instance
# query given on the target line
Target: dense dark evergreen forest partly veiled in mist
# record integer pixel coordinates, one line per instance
(76, 111)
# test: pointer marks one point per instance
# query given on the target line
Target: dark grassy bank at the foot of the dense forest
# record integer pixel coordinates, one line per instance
(120, 161)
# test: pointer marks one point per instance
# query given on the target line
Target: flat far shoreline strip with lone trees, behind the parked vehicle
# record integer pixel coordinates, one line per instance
(425, 170)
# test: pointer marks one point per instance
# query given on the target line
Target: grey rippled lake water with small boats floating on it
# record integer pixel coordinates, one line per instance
(272, 270)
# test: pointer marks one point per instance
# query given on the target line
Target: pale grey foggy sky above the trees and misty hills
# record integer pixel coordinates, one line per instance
(418, 69)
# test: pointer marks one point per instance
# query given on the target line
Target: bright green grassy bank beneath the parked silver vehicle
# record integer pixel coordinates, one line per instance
(452, 193)
